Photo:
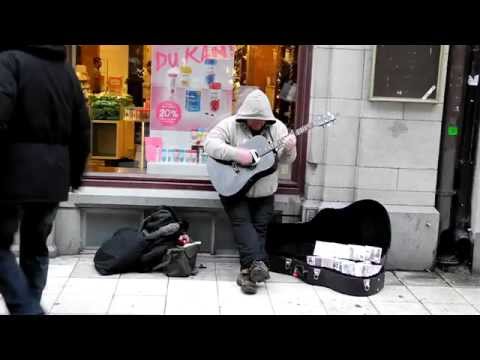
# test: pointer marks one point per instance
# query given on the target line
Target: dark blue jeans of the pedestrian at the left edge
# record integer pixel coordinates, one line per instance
(22, 287)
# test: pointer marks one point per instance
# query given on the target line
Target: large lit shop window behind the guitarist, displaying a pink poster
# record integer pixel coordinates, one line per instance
(151, 106)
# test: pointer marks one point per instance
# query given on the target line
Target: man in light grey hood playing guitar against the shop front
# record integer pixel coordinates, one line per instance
(251, 212)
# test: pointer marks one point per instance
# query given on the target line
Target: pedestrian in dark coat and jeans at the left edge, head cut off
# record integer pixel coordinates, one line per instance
(44, 144)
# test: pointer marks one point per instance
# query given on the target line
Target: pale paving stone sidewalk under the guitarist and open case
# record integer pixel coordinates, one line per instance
(75, 288)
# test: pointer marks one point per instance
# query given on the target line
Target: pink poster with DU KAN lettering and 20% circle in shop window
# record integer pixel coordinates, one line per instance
(191, 86)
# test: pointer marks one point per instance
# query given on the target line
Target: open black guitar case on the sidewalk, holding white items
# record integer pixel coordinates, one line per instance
(364, 222)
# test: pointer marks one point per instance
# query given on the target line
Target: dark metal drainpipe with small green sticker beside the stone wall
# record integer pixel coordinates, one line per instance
(459, 57)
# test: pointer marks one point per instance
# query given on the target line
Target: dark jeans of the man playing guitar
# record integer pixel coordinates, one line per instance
(249, 218)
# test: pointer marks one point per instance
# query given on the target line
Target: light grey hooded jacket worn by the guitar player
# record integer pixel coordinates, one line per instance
(233, 131)
